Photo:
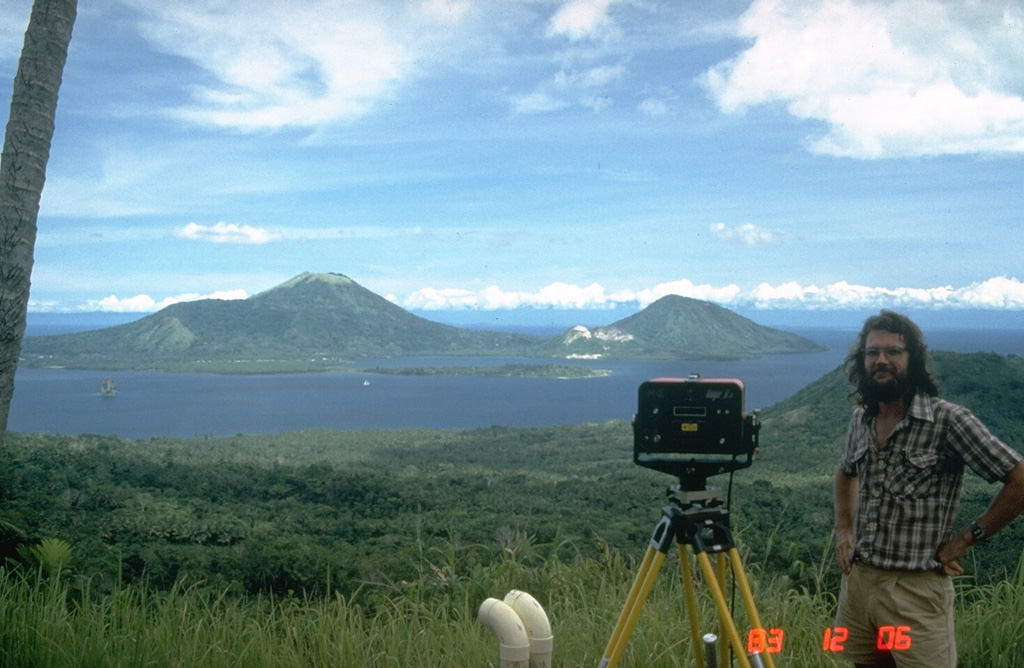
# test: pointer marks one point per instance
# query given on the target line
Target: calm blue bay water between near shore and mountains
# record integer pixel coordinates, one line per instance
(187, 405)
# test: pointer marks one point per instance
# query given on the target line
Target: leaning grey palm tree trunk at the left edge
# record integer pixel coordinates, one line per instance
(23, 173)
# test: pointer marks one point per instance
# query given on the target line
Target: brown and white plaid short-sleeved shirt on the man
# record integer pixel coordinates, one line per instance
(909, 490)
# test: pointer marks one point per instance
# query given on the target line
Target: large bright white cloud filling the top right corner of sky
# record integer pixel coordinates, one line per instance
(888, 78)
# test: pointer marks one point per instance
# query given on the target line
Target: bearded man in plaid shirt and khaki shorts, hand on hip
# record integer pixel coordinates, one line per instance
(895, 495)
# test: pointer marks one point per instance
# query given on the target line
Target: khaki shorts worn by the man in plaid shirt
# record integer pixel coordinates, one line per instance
(911, 613)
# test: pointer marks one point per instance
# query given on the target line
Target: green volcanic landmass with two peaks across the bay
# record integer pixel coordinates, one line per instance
(317, 322)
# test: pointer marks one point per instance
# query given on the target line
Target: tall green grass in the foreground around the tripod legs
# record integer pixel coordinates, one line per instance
(52, 622)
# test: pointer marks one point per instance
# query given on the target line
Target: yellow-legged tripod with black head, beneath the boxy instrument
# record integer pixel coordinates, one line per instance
(692, 520)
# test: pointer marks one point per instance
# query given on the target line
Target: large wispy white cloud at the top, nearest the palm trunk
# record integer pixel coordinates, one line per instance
(308, 64)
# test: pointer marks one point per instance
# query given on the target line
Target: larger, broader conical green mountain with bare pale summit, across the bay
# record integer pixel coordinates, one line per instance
(313, 317)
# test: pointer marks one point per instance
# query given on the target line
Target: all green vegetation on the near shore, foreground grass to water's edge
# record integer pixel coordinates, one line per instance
(376, 548)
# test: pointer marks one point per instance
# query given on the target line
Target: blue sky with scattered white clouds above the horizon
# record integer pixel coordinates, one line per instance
(581, 154)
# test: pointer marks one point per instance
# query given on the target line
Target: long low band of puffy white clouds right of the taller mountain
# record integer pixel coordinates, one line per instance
(1001, 294)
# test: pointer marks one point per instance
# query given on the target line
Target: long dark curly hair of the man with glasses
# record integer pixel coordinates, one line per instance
(920, 379)
